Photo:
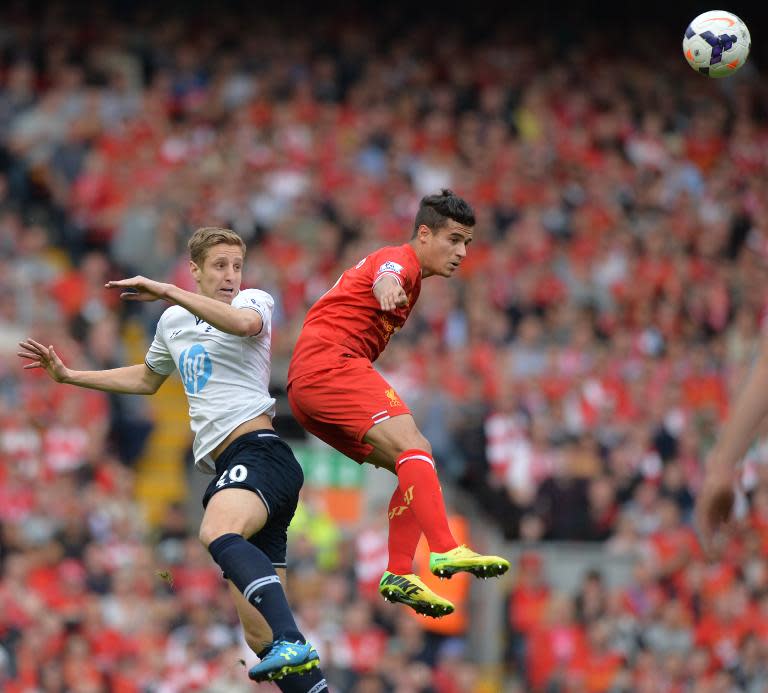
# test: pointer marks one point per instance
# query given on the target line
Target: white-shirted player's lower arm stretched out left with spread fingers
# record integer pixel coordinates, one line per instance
(136, 380)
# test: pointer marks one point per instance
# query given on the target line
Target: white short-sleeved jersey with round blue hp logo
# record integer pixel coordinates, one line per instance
(226, 377)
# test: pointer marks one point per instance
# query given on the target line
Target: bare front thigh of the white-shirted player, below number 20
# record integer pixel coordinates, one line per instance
(233, 511)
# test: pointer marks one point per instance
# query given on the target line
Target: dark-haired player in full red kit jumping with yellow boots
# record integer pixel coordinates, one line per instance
(336, 394)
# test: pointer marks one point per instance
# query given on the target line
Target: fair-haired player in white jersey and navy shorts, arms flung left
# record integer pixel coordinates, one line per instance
(219, 340)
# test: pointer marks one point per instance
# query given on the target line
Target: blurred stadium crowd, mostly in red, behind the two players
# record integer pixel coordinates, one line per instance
(571, 379)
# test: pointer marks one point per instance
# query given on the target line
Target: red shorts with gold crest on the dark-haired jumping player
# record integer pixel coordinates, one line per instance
(339, 405)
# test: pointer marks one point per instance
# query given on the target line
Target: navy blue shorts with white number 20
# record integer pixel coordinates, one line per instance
(262, 462)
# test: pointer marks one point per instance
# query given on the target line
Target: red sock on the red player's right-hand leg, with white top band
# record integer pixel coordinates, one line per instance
(422, 493)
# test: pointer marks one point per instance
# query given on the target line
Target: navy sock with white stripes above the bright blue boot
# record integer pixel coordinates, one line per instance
(253, 574)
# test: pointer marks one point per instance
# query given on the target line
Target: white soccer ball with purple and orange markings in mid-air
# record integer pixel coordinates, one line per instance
(716, 43)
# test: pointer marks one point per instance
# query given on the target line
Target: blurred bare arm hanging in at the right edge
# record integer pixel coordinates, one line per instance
(714, 503)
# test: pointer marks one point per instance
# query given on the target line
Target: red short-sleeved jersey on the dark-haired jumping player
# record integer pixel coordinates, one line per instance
(347, 319)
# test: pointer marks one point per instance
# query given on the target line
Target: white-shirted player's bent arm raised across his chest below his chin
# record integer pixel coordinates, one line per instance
(237, 321)
